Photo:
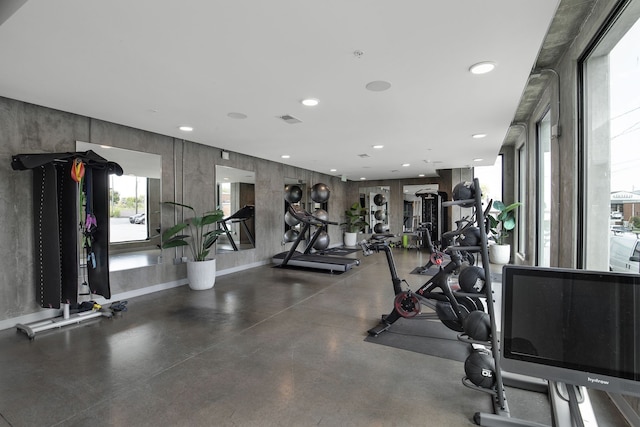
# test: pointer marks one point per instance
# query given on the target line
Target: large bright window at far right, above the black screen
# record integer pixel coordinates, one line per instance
(611, 143)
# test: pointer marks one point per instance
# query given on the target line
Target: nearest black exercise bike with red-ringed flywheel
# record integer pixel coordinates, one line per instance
(451, 307)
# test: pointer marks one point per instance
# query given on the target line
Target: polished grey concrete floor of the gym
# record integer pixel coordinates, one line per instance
(265, 347)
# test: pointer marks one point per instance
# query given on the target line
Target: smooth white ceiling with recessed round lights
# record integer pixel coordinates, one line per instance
(156, 65)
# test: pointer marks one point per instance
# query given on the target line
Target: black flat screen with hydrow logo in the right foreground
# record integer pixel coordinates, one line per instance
(572, 326)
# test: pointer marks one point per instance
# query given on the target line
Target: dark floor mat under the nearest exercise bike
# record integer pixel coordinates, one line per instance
(426, 336)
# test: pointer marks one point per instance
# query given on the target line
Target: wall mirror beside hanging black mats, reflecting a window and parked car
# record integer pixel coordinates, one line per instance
(134, 204)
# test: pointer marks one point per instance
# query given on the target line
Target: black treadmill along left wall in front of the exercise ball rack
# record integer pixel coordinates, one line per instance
(306, 259)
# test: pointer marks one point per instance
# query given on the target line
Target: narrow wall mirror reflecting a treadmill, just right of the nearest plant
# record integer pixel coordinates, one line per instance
(236, 197)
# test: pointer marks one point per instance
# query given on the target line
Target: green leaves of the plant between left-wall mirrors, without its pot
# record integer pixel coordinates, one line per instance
(203, 232)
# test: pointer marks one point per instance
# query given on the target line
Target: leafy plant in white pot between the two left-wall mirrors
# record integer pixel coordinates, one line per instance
(202, 234)
